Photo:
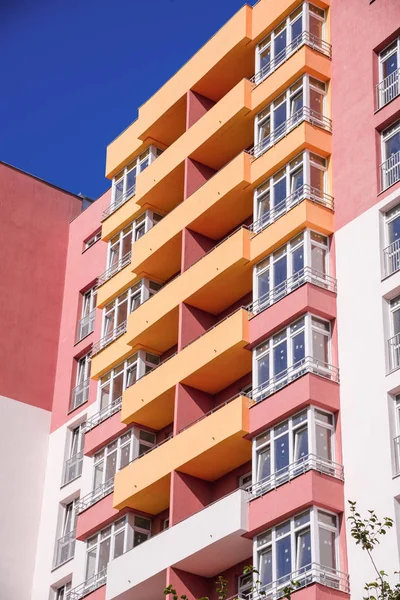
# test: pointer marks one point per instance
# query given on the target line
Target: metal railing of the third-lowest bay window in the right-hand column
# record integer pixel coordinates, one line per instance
(309, 364)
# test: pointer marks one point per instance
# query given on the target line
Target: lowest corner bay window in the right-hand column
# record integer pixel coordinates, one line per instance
(304, 549)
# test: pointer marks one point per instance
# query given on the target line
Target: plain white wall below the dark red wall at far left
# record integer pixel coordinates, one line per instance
(24, 434)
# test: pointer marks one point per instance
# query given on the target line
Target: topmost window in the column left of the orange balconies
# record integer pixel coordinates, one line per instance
(124, 184)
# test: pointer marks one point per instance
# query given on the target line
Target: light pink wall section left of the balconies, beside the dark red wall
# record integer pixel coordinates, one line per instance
(82, 269)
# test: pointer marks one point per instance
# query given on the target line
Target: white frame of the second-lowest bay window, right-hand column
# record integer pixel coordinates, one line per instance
(310, 418)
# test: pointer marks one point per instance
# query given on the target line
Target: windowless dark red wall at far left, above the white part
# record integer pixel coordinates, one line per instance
(34, 229)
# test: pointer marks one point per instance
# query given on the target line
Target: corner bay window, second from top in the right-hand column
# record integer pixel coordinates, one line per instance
(305, 99)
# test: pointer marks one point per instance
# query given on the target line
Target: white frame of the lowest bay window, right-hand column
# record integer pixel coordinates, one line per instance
(313, 524)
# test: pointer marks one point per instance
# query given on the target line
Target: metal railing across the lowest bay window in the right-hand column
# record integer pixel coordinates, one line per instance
(307, 575)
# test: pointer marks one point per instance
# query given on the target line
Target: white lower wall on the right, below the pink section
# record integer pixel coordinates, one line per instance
(366, 407)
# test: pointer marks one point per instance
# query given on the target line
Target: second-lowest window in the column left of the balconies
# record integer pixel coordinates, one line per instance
(120, 453)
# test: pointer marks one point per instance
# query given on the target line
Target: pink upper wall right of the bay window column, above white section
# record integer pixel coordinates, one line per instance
(356, 152)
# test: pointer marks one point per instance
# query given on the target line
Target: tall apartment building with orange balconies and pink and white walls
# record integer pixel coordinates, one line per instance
(227, 348)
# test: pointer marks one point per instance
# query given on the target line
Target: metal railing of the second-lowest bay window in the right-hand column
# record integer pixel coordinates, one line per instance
(300, 466)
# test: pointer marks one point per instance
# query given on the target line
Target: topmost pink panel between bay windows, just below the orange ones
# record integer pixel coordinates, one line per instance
(307, 298)
